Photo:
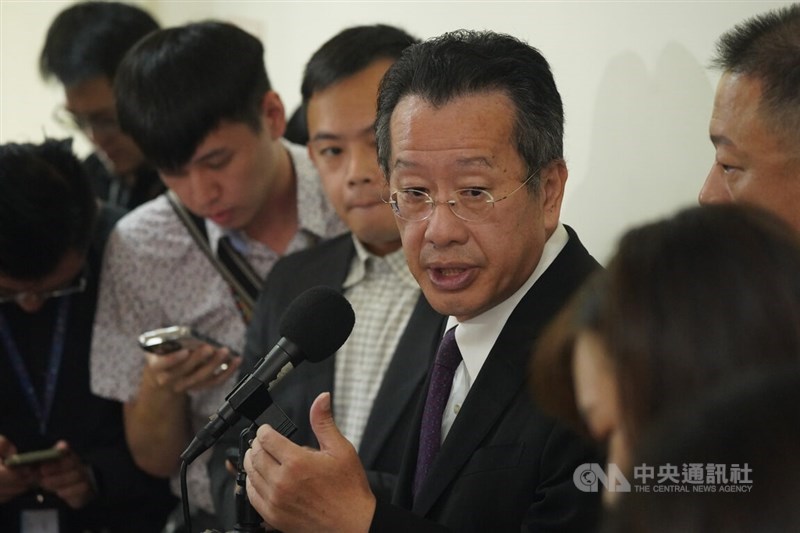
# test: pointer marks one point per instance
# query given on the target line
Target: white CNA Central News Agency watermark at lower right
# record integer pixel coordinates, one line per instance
(687, 477)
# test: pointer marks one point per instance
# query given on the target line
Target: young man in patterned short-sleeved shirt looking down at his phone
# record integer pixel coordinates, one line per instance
(197, 100)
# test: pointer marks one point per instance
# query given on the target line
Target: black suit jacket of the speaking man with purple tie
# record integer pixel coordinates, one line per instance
(504, 465)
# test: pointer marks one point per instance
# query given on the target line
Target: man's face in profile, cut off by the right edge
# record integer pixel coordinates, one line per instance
(755, 123)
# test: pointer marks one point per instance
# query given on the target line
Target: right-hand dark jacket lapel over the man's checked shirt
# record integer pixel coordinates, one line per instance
(402, 380)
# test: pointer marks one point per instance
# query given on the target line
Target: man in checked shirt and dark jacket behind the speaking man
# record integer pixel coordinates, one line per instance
(376, 377)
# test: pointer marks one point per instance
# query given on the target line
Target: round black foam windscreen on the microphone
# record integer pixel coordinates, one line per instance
(318, 321)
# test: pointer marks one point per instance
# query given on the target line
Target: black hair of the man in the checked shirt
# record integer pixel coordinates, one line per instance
(351, 51)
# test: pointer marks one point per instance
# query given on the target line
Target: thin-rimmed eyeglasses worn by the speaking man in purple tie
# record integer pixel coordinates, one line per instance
(472, 205)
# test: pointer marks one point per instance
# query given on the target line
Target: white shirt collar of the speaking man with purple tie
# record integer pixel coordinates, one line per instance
(476, 337)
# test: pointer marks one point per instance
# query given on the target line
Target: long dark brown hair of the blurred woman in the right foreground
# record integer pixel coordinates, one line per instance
(685, 302)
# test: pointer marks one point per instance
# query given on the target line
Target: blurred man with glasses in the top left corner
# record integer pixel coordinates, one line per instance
(83, 48)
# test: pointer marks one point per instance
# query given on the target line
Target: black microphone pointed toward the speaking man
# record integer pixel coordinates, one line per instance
(314, 326)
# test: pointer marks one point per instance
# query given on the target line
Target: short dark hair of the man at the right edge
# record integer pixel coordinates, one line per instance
(767, 47)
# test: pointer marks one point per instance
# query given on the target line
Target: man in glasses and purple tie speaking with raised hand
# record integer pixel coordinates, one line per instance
(465, 121)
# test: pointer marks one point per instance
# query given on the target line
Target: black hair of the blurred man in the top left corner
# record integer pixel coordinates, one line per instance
(89, 39)
